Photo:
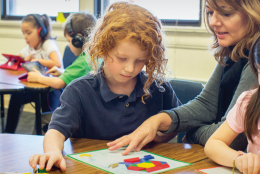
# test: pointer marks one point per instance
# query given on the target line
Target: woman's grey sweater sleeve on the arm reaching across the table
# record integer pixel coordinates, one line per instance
(200, 111)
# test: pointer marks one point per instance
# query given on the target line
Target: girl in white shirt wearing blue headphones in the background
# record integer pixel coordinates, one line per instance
(41, 46)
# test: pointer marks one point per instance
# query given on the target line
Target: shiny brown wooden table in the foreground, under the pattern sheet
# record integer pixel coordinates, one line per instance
(16, 150)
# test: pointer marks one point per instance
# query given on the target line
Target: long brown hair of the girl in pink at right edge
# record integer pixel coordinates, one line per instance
(252, 114)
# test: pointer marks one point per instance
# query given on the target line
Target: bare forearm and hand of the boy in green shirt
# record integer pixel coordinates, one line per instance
(54, 82)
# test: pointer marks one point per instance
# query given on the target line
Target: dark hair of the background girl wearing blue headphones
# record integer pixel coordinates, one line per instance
(46, 21)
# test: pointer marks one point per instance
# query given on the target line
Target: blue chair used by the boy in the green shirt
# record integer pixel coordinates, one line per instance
(68, 59)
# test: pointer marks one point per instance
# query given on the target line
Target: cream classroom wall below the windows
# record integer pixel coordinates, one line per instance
(187, 47)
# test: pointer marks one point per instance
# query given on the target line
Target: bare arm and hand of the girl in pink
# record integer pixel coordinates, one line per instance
(217, 148)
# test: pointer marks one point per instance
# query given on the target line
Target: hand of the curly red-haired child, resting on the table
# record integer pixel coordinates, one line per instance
(51, 158)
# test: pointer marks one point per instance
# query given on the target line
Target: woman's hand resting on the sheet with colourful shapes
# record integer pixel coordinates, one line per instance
(144, 134)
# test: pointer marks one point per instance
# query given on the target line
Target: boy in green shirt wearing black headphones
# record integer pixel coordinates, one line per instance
(76, 28)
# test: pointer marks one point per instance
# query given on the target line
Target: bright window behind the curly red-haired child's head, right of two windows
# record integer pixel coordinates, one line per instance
(171, 12)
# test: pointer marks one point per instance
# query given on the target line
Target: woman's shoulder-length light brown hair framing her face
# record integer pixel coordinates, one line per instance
(251, 8)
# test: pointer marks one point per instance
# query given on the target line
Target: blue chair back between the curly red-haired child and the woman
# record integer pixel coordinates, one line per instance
(185, 91)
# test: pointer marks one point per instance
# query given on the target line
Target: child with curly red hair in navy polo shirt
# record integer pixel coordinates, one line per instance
(119, 96)
